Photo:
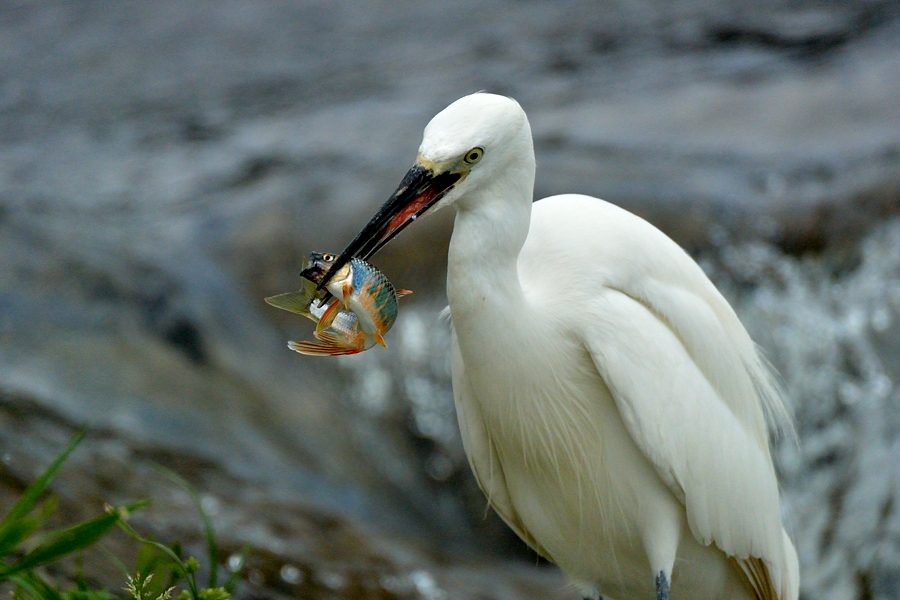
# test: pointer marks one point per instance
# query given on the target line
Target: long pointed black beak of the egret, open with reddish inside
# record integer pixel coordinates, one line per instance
(419, 191)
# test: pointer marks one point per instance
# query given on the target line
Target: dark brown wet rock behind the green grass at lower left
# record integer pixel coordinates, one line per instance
(294, 549)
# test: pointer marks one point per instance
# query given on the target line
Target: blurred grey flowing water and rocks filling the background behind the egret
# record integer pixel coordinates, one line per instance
(166, 165)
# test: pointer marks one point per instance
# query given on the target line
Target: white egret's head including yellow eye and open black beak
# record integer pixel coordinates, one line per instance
(463, 146)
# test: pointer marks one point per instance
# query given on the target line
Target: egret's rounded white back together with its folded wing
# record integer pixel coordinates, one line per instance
(691, 386)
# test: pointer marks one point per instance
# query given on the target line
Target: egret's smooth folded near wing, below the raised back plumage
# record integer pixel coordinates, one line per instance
(709, 450)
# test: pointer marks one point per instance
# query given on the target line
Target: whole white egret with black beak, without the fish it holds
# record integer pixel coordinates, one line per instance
(612, 406)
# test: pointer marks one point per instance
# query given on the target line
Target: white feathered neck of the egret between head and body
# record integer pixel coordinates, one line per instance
(490, 229)
